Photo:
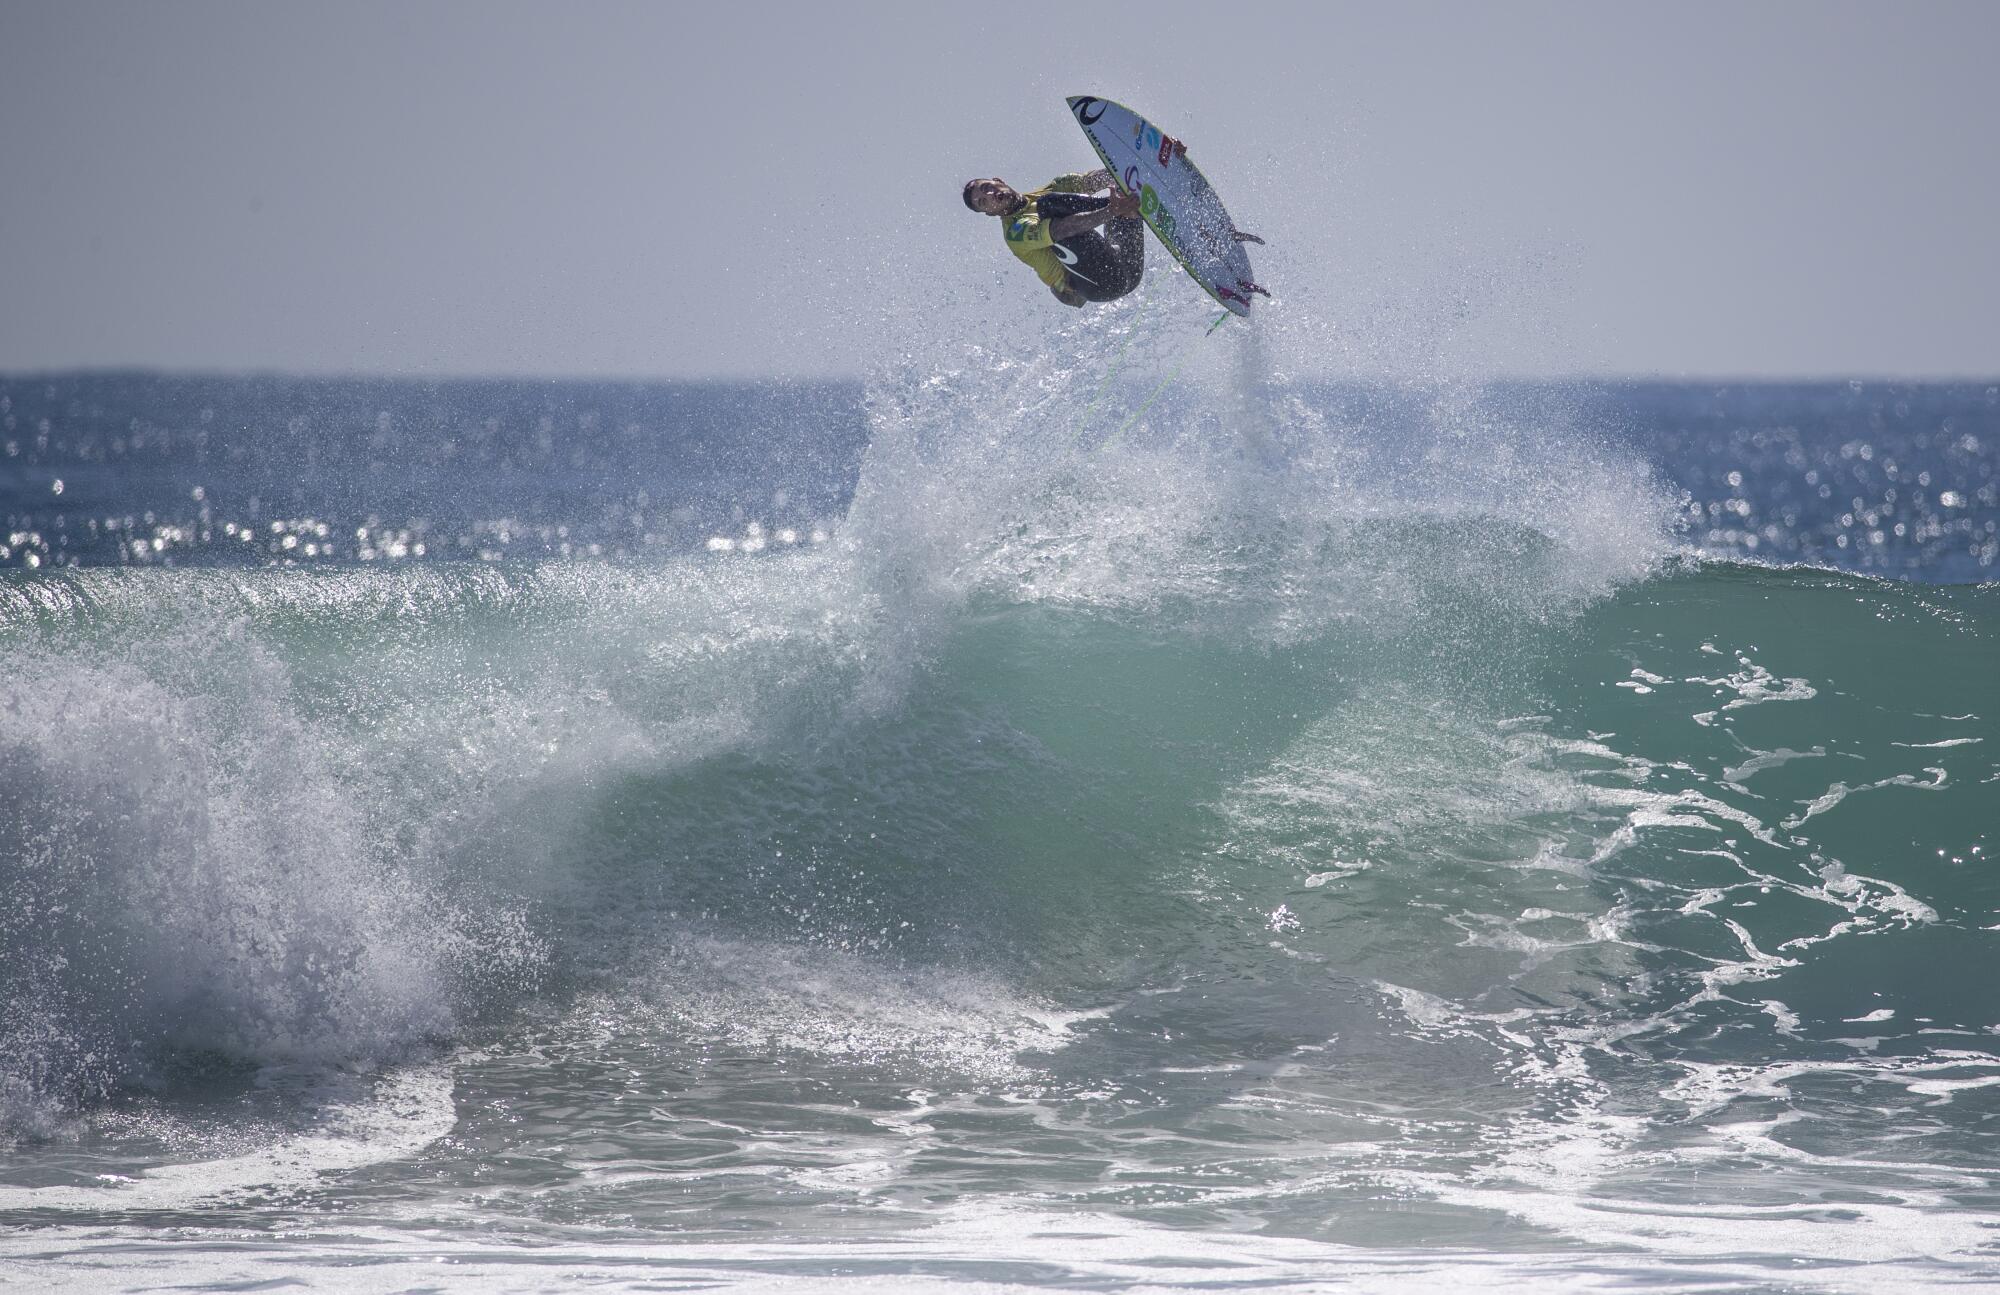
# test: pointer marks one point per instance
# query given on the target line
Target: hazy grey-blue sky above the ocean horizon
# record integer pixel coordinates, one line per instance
(751, 189)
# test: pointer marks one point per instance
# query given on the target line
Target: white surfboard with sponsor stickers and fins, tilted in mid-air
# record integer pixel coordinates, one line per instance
(1175, 199)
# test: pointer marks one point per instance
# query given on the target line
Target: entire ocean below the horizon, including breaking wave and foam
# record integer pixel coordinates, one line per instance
(975, 828)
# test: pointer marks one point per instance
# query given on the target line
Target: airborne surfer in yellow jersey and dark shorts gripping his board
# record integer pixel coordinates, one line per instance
(1055, 229)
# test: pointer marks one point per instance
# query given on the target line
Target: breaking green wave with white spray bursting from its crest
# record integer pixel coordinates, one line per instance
(1229, 698)
